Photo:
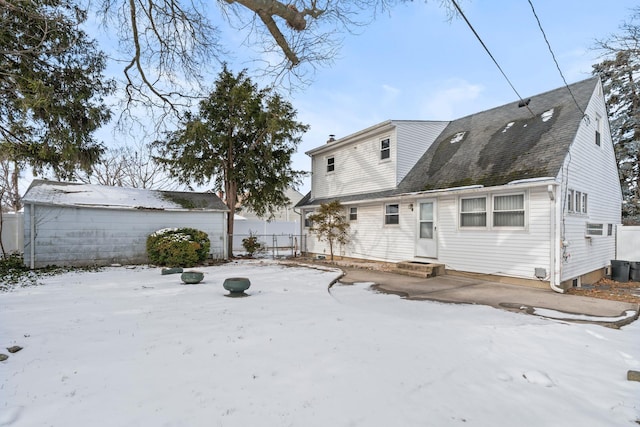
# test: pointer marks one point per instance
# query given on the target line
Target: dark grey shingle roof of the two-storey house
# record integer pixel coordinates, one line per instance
(497, 146)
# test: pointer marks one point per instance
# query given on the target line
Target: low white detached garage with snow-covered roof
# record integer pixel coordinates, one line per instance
(81, 224)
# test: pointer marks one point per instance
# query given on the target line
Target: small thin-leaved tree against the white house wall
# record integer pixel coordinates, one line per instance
(330, 225)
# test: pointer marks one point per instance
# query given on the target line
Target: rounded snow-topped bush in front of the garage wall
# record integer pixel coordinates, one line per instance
(178, 247)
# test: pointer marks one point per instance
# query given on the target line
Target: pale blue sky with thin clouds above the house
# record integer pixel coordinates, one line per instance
(413, 63)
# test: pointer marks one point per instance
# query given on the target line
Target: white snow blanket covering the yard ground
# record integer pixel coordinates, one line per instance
(131, 347)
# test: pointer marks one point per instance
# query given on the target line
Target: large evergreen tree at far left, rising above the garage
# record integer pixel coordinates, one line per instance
(51, 86)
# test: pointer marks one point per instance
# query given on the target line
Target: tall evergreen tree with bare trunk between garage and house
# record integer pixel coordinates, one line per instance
(242, 139)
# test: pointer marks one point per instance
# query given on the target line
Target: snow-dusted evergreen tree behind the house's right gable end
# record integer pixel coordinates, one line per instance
(620, 74)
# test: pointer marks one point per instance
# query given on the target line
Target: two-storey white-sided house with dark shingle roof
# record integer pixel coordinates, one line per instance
(528, 191)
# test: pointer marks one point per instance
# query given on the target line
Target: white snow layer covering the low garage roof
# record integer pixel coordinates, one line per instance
(90, 195)
